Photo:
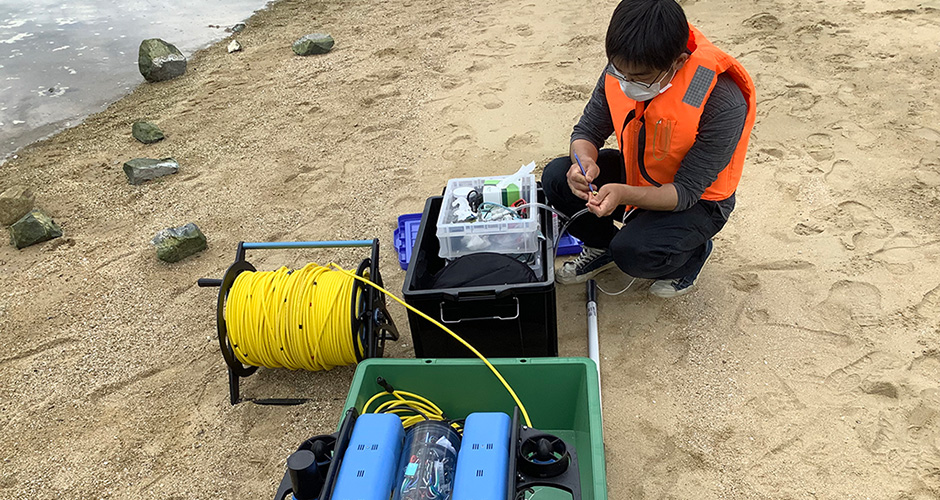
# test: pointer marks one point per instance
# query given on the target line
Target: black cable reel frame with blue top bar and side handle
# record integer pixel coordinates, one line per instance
(371, 325)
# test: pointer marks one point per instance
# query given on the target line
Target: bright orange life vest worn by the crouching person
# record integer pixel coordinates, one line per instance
(654, 136)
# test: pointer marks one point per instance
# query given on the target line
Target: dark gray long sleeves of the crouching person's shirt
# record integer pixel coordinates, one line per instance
(720, 128)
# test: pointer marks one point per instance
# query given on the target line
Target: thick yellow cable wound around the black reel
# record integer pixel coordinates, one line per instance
(297, 320)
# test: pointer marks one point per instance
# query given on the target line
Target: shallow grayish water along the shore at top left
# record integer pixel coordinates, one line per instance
(63, 60)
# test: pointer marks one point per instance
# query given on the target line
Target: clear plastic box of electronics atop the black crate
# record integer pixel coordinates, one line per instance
(505, 236)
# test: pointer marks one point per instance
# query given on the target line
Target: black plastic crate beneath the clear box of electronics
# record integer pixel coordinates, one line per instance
(513, 320)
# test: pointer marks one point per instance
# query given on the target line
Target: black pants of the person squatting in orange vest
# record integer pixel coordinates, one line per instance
(651, 244)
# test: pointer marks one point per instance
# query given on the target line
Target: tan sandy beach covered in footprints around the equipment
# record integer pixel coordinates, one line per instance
(805, 365)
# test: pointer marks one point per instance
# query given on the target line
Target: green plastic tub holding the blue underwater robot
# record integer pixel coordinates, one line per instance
(560, 395)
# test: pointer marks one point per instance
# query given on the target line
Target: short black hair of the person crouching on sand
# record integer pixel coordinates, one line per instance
(649, 34)
